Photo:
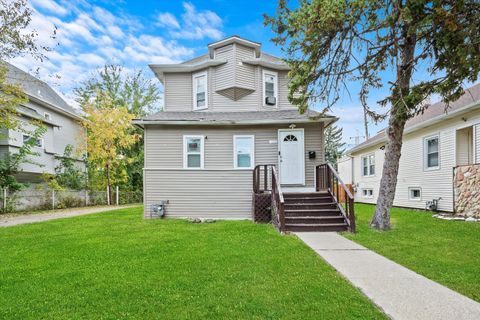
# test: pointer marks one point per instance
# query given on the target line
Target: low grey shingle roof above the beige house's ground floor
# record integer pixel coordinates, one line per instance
(212, 117)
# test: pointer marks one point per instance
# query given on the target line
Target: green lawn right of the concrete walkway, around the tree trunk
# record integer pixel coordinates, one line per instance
(445, 251)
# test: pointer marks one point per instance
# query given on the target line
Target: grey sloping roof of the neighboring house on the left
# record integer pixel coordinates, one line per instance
(37, 89)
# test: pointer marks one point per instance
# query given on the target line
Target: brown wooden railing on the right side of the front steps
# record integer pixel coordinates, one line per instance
(328, 179)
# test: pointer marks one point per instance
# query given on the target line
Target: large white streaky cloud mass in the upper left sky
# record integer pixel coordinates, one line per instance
(87, 38)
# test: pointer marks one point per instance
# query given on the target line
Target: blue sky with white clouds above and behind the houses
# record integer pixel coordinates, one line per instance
(134, 34)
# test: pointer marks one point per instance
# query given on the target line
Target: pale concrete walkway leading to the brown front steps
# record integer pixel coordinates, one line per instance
(398, 291)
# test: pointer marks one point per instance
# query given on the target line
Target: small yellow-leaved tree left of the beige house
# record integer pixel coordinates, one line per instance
(109, 132)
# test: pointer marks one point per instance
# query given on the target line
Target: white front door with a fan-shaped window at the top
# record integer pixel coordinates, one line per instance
(291, 156)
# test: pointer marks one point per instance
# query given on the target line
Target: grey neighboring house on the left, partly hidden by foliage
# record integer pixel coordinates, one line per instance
(61, 120)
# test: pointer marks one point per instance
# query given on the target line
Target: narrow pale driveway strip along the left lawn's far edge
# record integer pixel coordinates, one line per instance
(57, 214)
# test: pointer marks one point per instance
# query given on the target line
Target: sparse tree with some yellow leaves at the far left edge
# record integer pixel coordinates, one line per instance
(15, 40)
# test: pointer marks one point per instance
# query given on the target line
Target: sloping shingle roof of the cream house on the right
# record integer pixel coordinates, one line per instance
(436, 112)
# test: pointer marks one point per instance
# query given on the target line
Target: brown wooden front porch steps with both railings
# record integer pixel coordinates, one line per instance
(303, 208)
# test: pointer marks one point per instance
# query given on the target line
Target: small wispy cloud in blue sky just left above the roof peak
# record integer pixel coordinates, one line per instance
(195, 24)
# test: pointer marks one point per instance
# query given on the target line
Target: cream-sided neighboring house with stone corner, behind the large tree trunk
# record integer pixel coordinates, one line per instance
(435, 144)
